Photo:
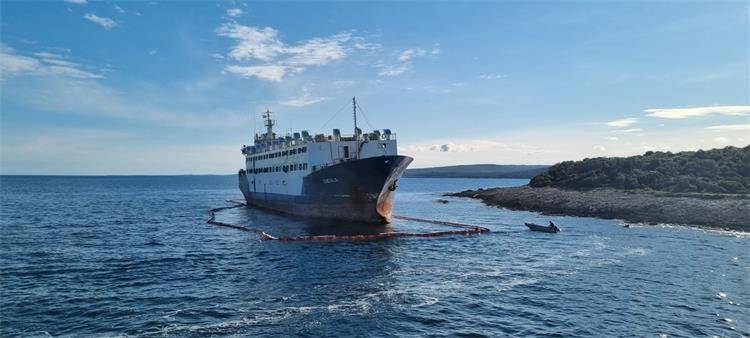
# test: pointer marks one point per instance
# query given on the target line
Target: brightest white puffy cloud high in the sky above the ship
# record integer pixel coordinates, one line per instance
(263, 44)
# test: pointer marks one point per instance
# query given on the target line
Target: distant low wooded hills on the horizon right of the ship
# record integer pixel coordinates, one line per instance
(479, 171)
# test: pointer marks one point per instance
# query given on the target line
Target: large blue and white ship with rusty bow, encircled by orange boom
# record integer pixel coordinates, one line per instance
(333, 177)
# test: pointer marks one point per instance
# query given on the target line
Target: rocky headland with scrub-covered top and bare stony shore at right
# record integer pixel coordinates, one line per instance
(704, 188)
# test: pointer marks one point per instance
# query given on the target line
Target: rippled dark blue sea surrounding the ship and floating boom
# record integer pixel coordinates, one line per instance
(108, 256)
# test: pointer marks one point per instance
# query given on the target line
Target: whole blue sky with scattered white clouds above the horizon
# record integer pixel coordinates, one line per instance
(94, 88)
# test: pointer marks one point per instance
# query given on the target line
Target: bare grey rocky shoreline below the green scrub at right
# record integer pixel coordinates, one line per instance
(724, 213)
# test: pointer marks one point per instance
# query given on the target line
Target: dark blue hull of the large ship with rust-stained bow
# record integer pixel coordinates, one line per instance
(357, 190)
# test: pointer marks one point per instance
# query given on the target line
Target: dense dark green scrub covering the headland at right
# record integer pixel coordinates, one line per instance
(722, 171)
